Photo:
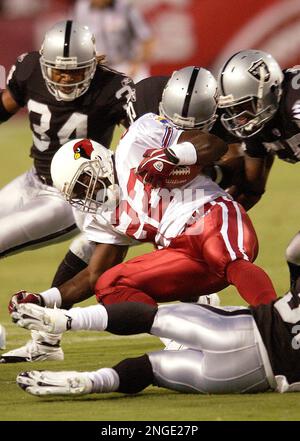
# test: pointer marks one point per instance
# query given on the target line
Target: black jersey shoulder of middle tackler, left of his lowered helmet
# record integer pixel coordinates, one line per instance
(146, 97)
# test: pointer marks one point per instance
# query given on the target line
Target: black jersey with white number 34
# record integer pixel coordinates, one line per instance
(53, 123)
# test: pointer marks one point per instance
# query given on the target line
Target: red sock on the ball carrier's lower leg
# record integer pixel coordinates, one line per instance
(252, 283)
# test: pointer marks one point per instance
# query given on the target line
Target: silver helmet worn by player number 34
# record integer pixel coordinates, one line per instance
(68, 60)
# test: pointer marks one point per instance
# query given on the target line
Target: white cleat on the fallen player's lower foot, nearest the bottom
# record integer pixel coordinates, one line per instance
(55, 383)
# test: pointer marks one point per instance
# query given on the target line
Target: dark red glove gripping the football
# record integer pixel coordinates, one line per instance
(157, 165)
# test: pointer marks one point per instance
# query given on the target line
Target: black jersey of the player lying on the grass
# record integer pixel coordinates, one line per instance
(279, 326)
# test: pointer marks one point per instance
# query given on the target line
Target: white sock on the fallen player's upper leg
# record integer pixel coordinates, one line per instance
(90, 318)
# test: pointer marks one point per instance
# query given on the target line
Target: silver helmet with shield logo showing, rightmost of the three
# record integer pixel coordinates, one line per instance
(250, 91)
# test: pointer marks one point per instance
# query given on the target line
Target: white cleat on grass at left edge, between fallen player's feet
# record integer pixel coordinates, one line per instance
(33, 351)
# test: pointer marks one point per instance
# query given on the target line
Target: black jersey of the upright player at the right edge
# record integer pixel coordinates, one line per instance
(281, 135)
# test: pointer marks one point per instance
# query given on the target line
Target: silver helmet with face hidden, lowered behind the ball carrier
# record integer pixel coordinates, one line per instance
(190, 98)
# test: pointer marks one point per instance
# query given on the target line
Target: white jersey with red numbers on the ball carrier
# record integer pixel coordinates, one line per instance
(144, 213)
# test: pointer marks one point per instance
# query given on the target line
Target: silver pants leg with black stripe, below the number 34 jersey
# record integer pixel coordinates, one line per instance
(34, 215)
